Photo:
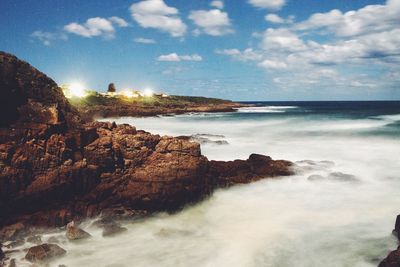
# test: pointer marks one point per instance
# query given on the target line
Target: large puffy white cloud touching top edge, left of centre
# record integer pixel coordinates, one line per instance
(157, 15)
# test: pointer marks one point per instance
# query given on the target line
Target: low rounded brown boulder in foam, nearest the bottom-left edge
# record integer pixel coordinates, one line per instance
(44, 252)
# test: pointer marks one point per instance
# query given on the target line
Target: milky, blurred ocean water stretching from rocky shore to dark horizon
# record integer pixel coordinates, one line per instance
(338, 210)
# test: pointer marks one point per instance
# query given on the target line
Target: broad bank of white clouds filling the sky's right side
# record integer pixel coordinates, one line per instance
(361, 40)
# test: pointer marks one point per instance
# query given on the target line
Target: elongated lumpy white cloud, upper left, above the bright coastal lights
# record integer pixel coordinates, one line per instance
(96, 27)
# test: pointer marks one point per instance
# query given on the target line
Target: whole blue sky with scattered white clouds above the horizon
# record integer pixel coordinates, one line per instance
(272, 50)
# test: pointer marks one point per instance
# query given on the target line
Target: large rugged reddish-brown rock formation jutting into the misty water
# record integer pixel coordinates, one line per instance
(55, 168)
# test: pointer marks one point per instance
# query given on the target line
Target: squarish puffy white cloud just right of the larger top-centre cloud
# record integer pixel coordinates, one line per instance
(213, 22)
